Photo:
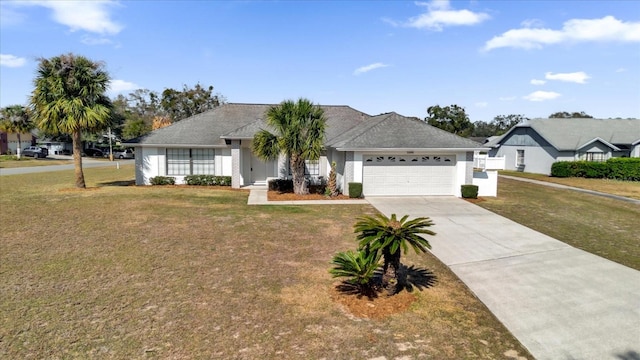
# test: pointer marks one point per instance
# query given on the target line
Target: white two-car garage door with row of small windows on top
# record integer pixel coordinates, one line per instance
(408, 175)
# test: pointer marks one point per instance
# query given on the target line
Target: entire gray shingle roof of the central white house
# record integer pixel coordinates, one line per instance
(346, 128)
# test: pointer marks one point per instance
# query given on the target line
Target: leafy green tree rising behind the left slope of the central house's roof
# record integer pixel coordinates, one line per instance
(188, 102)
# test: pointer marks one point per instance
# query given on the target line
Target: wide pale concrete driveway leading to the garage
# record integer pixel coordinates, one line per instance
(559, 301)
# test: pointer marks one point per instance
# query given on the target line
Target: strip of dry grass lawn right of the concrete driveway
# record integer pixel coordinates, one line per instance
(599, 225)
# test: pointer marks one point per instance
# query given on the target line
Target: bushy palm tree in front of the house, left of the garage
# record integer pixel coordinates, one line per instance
(299, 134)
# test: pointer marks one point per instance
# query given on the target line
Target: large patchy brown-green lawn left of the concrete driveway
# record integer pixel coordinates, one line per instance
(119, 271)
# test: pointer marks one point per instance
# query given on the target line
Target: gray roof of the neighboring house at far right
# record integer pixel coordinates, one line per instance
(573, 133)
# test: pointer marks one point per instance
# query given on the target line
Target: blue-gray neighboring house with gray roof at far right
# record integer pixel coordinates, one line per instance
(536, 144)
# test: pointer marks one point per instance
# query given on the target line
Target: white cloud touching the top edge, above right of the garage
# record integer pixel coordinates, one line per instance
(440, 14)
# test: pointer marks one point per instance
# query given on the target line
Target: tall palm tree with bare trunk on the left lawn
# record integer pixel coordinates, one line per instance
(69, 97)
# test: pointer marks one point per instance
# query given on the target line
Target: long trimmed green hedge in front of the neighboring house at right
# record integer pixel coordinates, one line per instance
(614, 168)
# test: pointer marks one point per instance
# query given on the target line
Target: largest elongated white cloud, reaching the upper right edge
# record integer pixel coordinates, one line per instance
(605, 29)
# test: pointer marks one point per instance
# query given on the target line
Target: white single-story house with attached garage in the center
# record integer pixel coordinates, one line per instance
(389, 154)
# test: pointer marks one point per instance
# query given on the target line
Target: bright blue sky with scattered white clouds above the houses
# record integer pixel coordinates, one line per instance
(491, 57)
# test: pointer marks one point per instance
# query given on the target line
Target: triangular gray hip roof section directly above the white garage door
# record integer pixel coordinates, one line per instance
(394, 131)
